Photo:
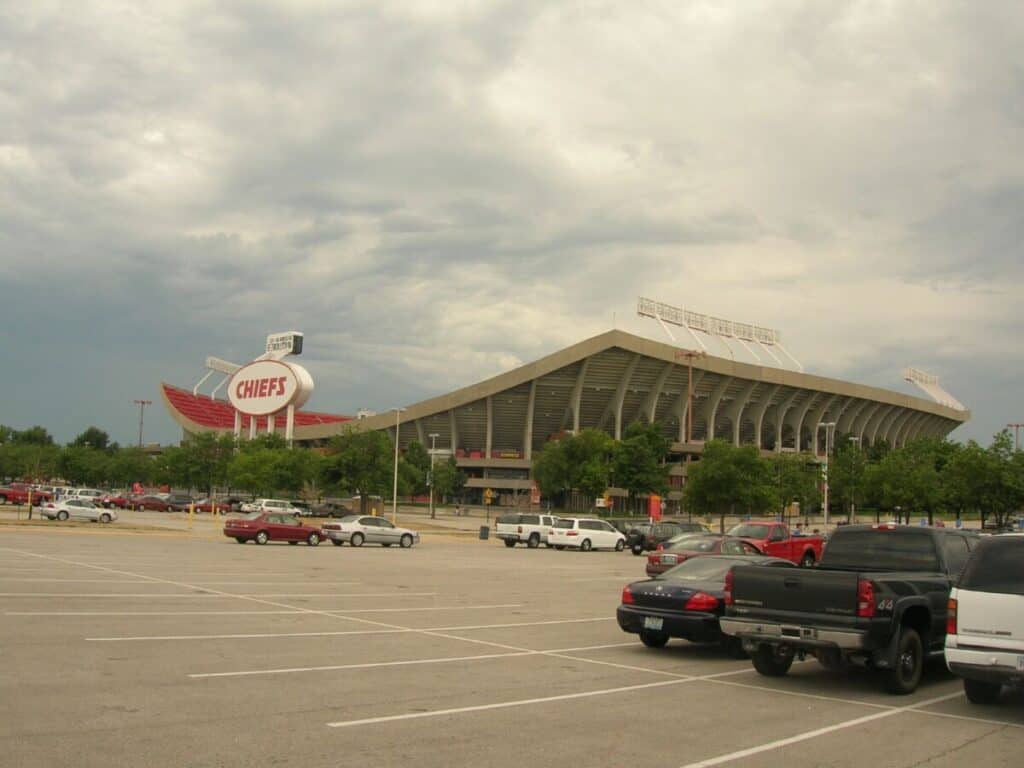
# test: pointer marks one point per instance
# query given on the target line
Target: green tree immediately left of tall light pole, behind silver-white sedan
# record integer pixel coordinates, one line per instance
(360, 462)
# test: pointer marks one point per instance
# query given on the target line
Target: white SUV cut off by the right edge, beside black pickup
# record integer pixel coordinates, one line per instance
(986, 620)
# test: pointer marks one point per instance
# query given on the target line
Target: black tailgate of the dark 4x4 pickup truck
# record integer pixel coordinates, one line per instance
(799, 590)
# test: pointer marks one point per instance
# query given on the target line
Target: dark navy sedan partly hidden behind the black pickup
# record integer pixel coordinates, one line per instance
(686, 602)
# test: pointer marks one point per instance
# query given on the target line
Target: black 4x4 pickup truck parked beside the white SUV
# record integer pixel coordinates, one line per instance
(878, 599)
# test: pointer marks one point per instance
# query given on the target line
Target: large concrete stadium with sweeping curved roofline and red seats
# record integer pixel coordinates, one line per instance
(494, 429)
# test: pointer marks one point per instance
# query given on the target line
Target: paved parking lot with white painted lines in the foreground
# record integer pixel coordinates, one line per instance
(170, 651)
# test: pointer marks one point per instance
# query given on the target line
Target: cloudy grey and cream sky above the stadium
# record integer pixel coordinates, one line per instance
(436, 191)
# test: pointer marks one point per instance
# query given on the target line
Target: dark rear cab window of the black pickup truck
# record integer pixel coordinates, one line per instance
(882, 549)
